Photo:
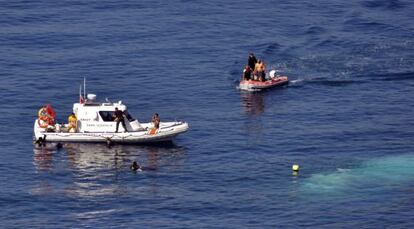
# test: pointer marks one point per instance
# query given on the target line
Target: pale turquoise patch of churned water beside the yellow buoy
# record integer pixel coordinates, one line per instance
(376, 174)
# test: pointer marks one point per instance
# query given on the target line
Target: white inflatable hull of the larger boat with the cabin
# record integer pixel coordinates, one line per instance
(166, 133)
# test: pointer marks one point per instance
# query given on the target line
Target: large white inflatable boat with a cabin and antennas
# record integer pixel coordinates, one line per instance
(94, 122)
